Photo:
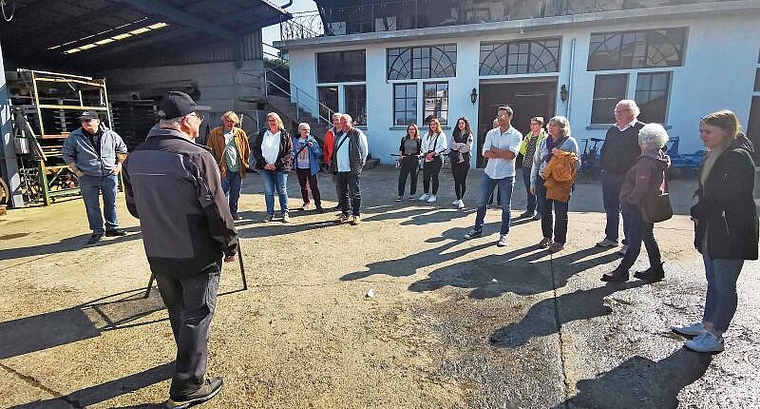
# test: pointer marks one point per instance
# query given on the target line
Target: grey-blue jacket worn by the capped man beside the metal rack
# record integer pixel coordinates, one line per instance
(78, 148)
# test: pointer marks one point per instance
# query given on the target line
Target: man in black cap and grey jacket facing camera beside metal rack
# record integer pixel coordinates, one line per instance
(94, 154)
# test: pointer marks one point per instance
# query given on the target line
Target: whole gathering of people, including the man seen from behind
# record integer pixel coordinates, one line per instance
(186, 199)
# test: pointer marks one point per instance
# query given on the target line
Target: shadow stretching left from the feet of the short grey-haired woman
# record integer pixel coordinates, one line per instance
(547, 316)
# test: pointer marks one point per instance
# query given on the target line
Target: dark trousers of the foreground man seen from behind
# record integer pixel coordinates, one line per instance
(191, 302)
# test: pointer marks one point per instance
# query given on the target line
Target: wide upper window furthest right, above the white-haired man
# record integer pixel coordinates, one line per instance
(637, 49)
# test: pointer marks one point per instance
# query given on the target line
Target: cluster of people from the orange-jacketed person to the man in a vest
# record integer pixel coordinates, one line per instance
(274, 154)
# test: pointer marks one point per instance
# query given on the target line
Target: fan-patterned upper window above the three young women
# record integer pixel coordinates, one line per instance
(422, 62)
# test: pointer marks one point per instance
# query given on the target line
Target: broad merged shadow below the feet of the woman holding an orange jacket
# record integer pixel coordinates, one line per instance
(524, 271)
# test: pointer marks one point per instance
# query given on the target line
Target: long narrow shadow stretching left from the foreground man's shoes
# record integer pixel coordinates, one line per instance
(105, 391)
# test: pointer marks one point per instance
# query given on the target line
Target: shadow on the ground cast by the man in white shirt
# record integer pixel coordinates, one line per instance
(408, 265)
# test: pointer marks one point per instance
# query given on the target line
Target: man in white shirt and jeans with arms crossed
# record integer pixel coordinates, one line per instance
(500, 147)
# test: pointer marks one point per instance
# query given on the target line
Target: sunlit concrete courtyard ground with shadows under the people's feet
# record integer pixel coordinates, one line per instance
(452, 323)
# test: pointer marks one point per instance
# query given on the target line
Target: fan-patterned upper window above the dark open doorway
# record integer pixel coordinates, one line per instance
(520, 57)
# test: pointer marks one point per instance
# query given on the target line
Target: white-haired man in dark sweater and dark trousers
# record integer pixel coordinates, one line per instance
(618, 154)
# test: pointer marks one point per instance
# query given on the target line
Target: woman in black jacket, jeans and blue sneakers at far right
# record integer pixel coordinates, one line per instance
(726, 226)
